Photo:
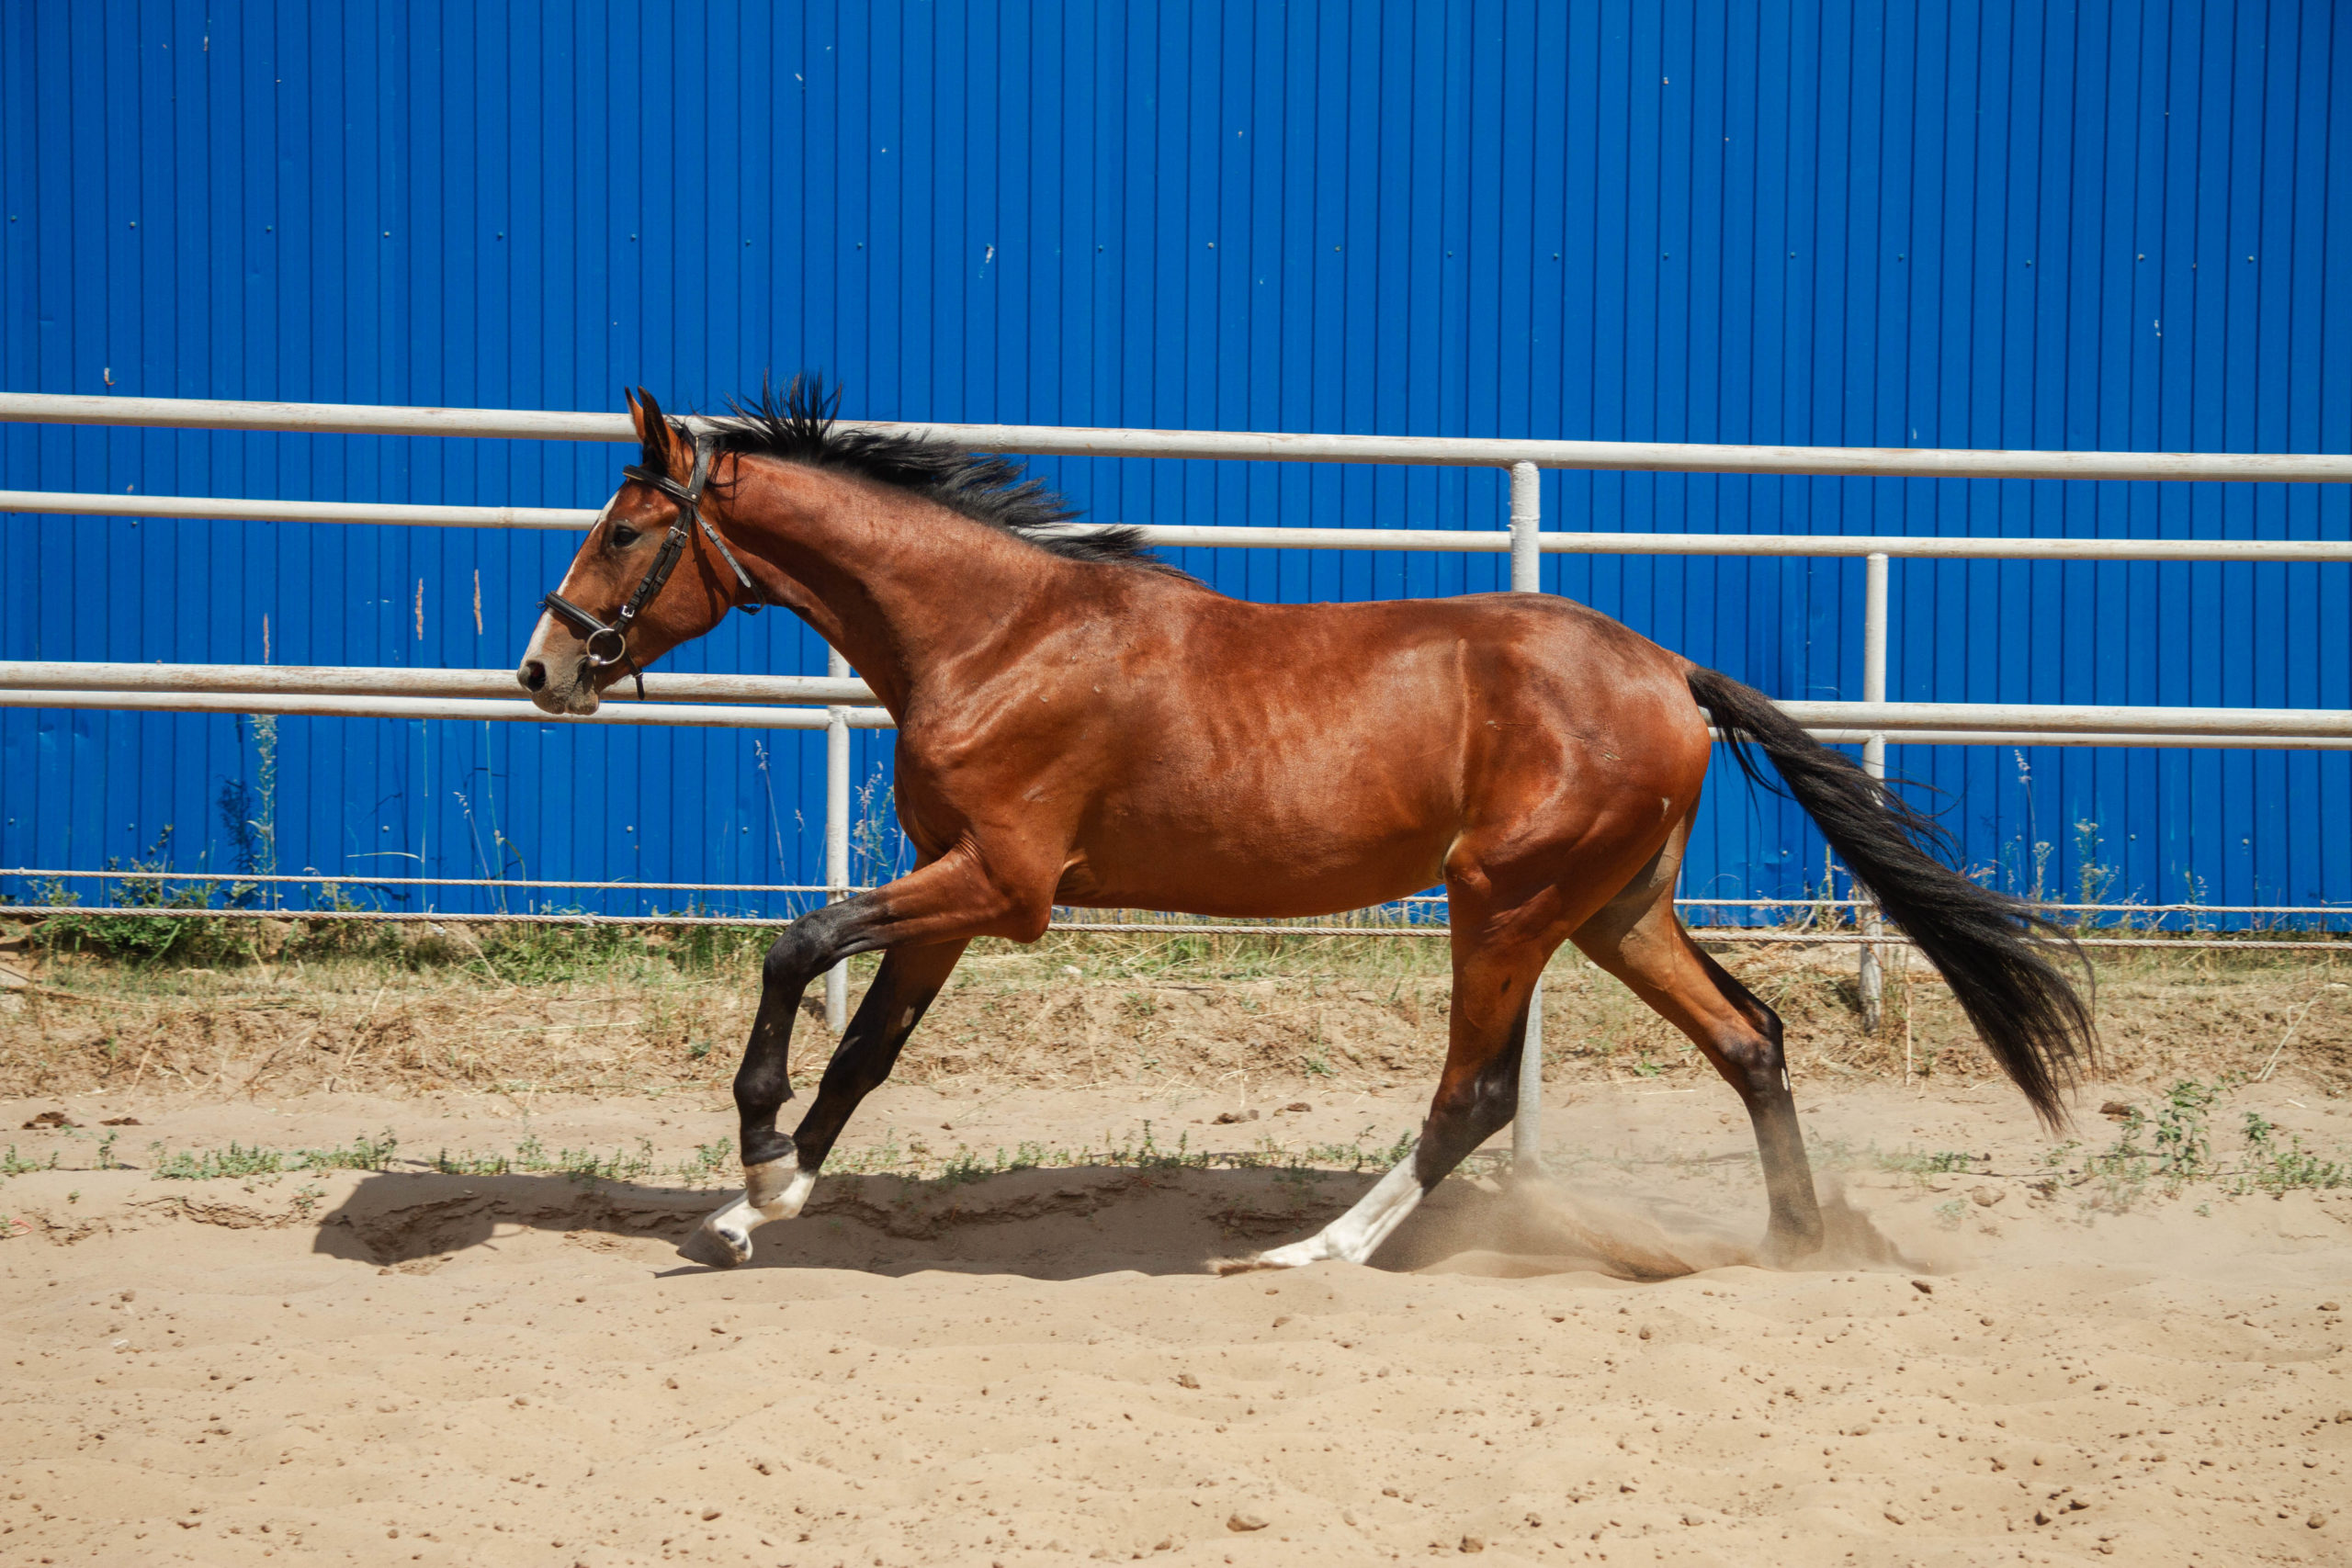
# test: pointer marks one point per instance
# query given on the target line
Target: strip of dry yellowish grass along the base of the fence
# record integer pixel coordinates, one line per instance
(653, 1012)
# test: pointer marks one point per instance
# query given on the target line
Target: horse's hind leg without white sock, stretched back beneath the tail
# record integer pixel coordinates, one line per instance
(1737, 1033)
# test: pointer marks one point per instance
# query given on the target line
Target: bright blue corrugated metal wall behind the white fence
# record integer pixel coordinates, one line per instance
(1847, 225)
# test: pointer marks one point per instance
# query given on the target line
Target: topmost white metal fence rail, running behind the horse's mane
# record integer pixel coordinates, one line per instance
(1227, 445)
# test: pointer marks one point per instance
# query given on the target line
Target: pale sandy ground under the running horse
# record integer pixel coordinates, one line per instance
(410, 1367)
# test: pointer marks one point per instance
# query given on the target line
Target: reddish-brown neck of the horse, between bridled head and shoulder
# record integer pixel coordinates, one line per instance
(895, 582)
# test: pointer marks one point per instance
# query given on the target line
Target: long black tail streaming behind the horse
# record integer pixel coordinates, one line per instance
(1991, 949)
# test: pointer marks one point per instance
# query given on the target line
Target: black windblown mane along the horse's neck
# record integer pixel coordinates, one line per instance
(801, 427)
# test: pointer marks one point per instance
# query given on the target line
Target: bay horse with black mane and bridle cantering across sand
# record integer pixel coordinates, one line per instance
(1083, 725)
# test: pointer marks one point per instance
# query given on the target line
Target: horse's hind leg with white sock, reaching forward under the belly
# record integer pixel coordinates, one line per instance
(1476, 1099)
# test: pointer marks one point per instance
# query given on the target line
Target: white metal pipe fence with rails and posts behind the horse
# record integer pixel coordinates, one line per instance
(751, 702)
